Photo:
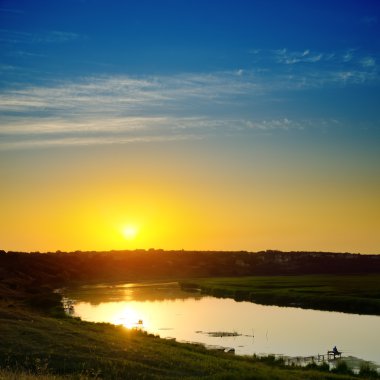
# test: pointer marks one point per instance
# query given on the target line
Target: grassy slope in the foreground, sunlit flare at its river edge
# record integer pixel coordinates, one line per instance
(36, 346)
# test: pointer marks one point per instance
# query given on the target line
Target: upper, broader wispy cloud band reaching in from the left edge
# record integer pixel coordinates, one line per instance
(125, 95)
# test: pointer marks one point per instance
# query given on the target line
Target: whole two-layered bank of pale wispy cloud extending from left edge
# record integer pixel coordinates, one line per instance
(122, 109)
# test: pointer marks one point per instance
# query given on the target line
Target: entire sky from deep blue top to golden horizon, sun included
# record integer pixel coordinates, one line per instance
(196, 125)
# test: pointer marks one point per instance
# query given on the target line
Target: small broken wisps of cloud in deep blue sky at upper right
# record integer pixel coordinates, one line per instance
(287, 69)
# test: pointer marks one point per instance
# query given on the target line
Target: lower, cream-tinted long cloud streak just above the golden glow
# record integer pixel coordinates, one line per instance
(55, 132)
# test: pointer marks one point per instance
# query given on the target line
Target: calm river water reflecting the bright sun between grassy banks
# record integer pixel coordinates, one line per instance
(164, 309)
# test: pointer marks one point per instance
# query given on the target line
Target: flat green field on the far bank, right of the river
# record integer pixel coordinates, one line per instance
(347, 293)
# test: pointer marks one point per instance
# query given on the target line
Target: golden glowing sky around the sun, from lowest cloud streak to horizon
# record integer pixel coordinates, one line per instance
(190, 195)
